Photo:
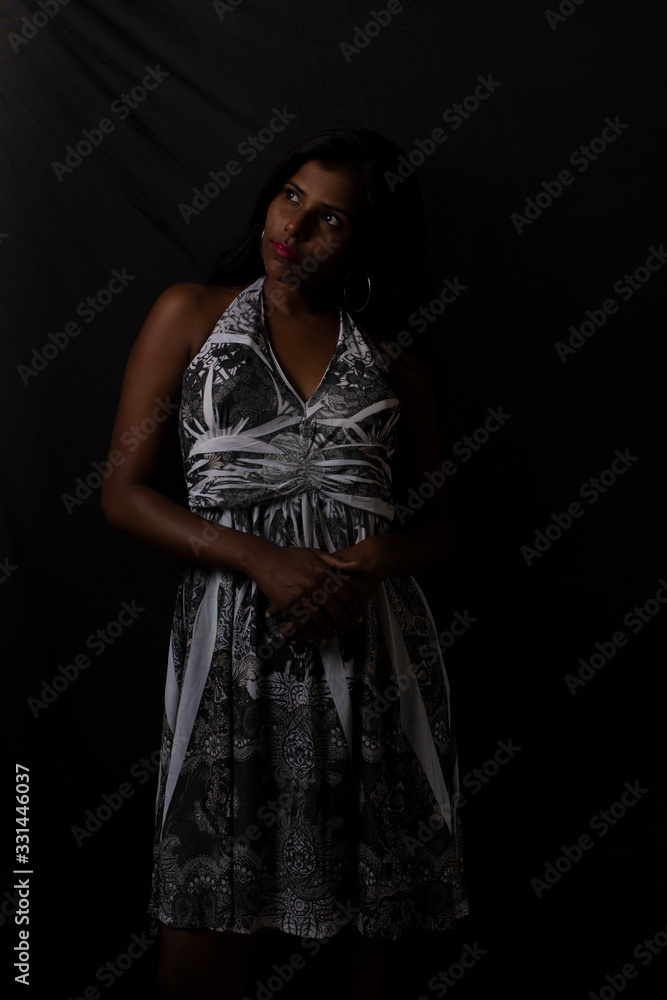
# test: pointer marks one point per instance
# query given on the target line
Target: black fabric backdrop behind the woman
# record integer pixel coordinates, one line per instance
(152, 97)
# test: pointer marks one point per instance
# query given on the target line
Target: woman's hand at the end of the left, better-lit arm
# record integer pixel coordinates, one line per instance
(308, 585)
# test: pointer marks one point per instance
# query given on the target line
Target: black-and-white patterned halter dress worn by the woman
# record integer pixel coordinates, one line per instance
(300, 789)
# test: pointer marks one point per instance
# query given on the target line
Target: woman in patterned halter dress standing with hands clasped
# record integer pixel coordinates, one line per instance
(307, 742)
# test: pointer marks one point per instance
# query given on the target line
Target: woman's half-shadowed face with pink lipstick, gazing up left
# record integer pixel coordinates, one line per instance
(315, 216)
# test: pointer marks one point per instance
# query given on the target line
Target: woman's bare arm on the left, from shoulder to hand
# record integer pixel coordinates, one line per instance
(149, 397)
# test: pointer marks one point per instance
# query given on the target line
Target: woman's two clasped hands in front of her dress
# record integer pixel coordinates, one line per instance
(323, 593)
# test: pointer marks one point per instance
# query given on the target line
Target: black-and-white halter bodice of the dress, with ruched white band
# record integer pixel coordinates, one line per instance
(248, 437)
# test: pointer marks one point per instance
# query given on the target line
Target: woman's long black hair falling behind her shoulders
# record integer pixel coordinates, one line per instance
(390, 244)
